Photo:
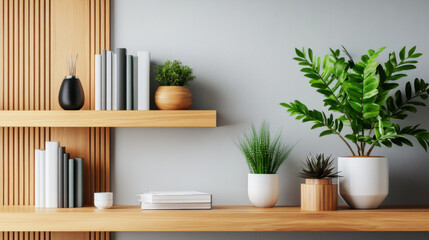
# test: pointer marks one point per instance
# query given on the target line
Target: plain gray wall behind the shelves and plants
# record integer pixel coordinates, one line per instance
(241, 52)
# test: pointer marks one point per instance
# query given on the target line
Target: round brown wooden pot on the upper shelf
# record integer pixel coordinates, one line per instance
(173, 98)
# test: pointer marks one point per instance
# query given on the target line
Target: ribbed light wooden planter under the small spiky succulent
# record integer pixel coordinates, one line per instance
(319, 195)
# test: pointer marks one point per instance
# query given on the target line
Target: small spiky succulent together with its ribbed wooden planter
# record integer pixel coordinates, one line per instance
(318, 193)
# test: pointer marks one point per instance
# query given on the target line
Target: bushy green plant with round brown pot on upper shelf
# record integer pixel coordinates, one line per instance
(173, 92)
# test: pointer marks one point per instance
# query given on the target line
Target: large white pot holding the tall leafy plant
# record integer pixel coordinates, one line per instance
(365, 181)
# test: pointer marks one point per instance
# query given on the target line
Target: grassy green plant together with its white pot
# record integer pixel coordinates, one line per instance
(264, 156)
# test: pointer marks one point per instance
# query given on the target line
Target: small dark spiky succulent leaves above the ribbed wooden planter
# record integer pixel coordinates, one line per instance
(318, 167)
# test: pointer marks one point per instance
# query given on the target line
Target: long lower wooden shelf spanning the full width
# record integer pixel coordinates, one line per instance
(220, 218)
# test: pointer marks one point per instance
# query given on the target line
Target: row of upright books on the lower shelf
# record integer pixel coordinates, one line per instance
(58, 178)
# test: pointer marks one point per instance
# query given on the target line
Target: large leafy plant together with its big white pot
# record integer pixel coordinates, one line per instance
(359, 95)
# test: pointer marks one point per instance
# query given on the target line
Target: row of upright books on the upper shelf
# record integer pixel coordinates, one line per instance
(122, 80)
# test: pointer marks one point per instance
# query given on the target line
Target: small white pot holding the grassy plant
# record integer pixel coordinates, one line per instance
(263, 189)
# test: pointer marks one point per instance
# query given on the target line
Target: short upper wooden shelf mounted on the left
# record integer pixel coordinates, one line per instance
(86, 118)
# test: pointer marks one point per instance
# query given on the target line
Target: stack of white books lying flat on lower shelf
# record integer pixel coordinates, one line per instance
(175, 200)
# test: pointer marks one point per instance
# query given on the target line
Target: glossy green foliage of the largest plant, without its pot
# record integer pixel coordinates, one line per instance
(363, 96)
